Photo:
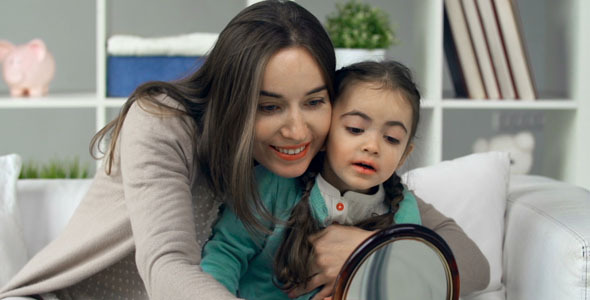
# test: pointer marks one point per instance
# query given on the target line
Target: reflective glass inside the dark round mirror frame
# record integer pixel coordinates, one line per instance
(407, 269)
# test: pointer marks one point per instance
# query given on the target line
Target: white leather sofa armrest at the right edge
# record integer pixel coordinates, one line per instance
(546, 253)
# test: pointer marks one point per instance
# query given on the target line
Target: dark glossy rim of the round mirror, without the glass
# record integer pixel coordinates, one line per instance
(396, 232)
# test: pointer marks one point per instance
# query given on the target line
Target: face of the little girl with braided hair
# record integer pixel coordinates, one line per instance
(369, 137)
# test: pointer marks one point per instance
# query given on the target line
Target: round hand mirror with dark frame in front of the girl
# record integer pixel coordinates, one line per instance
(402, 262)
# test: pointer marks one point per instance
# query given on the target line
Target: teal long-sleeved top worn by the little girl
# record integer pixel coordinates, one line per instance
(243, 263)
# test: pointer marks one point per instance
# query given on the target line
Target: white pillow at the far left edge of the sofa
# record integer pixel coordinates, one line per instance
(13, 252)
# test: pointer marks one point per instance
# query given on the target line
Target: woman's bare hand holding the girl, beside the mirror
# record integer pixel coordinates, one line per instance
(332, 247)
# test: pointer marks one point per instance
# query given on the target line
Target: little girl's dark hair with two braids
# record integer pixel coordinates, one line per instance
(292, 261)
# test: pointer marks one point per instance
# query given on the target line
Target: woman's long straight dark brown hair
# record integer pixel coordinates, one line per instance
(221, 97)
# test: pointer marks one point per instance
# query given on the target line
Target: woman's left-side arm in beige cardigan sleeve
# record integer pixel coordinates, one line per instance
(156, 165)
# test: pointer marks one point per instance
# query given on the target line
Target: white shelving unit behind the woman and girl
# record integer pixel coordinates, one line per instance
(563, 143)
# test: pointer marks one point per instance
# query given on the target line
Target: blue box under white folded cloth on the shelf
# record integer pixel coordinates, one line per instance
(125, 73)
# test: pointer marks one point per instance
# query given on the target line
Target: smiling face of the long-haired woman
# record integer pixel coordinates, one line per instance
(294, 112)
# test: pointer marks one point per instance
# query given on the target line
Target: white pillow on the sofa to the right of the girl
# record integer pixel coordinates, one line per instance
(472, 190)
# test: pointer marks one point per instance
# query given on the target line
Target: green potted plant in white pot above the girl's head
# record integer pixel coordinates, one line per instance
(359, 31)
